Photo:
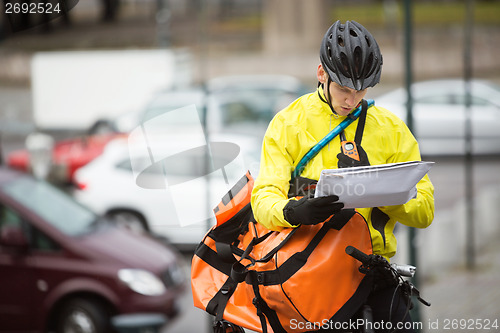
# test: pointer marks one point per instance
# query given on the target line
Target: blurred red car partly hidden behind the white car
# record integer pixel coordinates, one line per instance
(67, 155)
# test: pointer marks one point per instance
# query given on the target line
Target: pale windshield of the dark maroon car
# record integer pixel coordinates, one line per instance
(51, 204)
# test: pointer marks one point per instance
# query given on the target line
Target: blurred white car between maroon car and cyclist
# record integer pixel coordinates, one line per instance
(172, 197)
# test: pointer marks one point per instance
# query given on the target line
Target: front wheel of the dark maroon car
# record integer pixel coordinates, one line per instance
(85, 316)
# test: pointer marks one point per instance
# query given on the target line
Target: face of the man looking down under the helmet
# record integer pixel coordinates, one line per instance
(343, 99)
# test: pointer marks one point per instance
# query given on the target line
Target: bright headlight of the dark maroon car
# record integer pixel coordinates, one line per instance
(142, 281)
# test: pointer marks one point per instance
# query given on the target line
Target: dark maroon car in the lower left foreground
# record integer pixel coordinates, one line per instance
(64, 269)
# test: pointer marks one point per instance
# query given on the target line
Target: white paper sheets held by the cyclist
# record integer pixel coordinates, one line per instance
(373, 186)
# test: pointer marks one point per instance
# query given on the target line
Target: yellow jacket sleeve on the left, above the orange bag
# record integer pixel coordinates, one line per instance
(269, 195)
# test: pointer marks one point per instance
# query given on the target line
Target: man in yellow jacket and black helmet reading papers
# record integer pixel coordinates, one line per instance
(350, 63)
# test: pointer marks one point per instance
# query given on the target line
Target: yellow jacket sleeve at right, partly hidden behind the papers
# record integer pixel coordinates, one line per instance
(419, 211)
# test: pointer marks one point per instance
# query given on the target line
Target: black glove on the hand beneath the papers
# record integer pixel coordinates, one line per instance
(309, 210)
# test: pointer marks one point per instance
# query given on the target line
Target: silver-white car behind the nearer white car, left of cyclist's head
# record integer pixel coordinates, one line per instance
(233, 104)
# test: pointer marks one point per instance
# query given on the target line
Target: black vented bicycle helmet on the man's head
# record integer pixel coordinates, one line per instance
(351, 56)
